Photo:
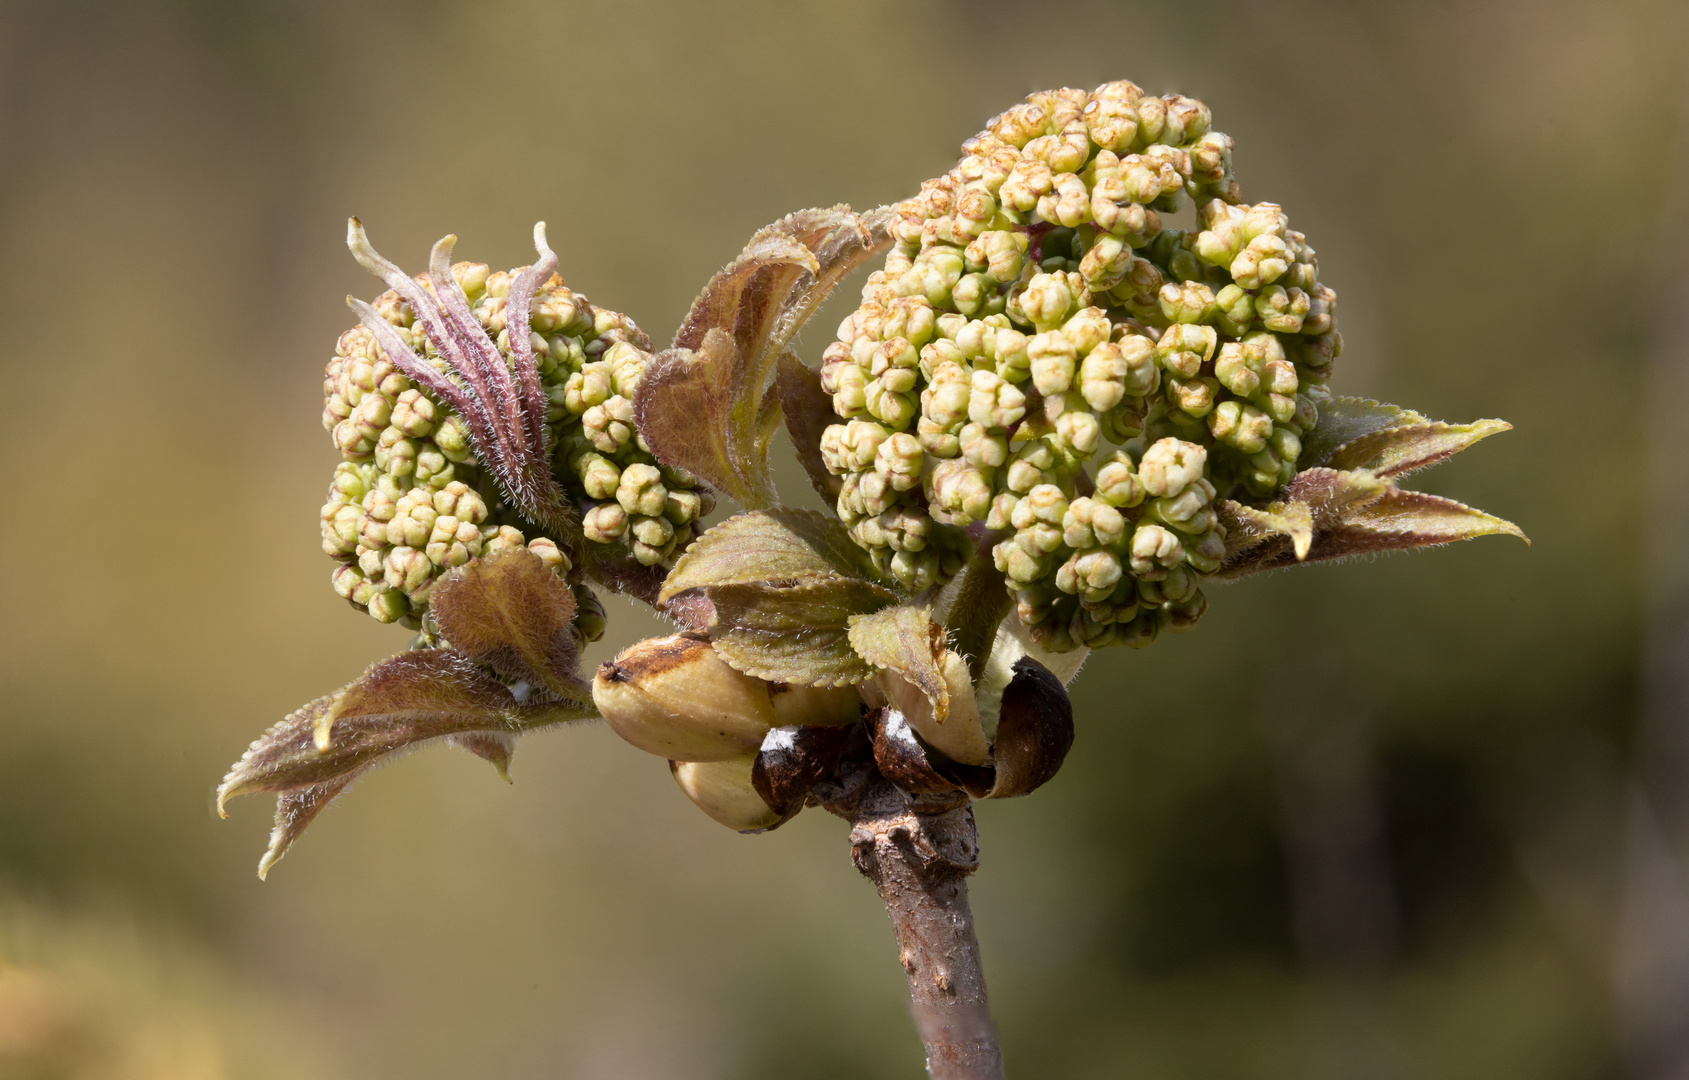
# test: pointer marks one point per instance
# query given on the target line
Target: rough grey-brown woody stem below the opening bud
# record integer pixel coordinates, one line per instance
(918, 851)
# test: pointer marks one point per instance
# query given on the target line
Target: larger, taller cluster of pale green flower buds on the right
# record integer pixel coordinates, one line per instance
(1043, 357)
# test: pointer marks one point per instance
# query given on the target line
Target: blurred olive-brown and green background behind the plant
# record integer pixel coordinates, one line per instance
(1425, 817)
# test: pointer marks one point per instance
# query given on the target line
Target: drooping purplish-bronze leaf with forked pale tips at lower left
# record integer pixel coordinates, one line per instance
(396, 706)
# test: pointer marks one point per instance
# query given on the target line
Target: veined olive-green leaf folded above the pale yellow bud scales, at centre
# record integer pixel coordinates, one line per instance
(779, 545)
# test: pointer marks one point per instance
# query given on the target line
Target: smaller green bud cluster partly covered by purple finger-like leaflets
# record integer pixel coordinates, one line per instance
(411, 499)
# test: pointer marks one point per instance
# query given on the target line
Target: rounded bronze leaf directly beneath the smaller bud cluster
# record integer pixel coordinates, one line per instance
(511, 613)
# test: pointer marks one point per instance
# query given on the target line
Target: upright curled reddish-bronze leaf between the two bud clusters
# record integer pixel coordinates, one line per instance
(705, 403)
